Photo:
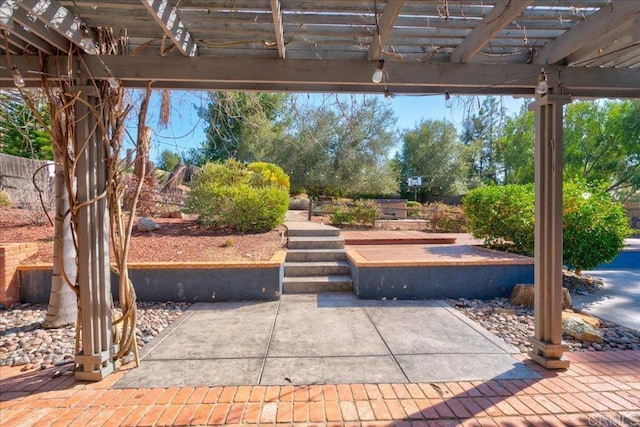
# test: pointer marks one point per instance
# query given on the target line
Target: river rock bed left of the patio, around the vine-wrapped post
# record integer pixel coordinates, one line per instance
(23, 341)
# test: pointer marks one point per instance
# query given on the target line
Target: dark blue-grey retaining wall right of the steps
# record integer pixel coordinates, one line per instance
(437, 281)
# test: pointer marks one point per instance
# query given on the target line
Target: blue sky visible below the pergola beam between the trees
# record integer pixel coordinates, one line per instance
(186, 129)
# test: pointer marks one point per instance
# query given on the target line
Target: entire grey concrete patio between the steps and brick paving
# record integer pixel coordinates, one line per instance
(326, 338)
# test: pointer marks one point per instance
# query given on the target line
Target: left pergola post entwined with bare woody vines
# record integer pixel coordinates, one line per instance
(95, 358)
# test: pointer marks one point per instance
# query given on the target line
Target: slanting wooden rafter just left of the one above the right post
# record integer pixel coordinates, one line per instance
(502, 14)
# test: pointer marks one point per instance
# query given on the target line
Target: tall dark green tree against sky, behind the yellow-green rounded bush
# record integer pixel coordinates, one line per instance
(237, 123)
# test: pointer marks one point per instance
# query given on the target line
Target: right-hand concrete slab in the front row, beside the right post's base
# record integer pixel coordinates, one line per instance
(463, 367)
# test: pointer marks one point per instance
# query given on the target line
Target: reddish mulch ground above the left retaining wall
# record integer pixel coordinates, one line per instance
(178, 240)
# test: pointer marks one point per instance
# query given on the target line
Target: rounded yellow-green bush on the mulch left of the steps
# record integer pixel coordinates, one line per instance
(230, 195)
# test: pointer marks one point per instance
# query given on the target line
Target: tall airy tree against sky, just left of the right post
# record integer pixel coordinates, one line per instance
(481, 135)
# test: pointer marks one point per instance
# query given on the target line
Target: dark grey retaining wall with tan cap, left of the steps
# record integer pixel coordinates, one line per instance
(190, 282)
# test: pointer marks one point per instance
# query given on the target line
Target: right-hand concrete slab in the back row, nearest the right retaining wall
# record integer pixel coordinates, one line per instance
(426, 328)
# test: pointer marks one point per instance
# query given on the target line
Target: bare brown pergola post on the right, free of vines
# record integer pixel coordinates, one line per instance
(547, 340)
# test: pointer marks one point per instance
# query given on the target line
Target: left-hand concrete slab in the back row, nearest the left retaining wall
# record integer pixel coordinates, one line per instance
(221, 330)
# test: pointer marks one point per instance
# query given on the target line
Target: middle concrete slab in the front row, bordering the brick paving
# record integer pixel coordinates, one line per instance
(332, 370)
